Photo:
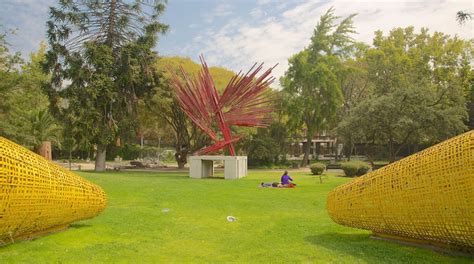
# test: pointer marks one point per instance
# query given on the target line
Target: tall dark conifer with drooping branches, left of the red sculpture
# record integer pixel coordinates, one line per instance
(101, 62)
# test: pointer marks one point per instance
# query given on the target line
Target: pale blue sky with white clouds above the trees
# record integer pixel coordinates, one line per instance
(237, 33)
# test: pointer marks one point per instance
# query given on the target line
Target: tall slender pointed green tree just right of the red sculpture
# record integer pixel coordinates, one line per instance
(311, 84)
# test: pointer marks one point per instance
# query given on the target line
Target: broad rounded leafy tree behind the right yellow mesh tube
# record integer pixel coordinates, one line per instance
(419, 86)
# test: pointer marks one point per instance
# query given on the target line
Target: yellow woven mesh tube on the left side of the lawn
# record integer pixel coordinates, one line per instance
(36, 195)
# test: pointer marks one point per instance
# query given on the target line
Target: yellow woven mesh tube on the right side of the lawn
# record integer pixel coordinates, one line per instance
(428, 196)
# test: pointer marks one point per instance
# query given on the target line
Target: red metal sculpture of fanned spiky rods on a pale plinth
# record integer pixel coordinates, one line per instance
(244, 102)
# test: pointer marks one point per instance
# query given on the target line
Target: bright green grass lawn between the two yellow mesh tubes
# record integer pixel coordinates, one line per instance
(273, 225)
